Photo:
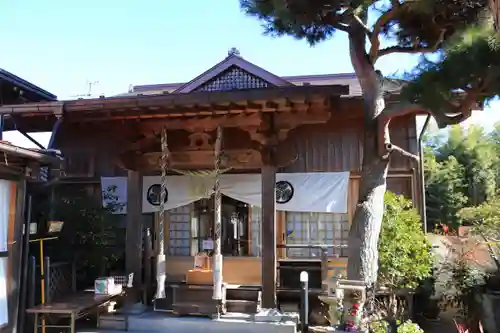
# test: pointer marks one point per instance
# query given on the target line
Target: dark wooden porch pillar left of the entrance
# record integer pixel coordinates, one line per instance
(133, 247)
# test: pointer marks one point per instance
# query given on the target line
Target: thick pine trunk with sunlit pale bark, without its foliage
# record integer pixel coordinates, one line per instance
(367, 221)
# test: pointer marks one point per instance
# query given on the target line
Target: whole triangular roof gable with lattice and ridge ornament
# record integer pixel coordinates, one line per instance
(234, 72)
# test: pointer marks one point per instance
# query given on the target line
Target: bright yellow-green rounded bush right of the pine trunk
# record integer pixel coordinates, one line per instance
(405, 257)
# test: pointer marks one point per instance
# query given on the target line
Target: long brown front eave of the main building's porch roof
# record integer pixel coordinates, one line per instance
(175, 105)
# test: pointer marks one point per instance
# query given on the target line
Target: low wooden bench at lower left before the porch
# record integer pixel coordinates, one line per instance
(75, 307)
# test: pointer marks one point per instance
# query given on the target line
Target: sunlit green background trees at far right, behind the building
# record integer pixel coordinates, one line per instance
(461, 170)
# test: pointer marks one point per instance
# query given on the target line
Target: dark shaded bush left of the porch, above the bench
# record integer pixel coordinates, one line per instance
(91, 234)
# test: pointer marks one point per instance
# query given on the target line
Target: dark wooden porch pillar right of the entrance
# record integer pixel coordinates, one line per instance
(268, 229)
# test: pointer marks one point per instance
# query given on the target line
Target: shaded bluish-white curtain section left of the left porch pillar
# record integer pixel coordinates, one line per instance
(114, 194)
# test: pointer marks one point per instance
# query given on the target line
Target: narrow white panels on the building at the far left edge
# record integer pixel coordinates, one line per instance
(5, 197)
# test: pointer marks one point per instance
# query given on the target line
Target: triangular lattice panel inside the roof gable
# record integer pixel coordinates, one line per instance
(232, 79)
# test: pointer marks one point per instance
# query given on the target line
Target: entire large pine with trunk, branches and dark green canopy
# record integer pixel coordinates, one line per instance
(465, 73)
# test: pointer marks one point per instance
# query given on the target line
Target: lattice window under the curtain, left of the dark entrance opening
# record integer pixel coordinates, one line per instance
(180, 221)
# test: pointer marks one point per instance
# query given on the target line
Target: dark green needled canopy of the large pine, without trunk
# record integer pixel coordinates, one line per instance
(460, 31)
